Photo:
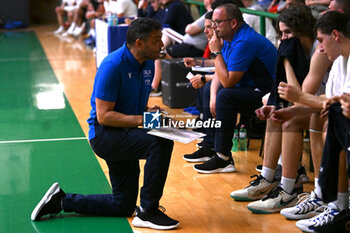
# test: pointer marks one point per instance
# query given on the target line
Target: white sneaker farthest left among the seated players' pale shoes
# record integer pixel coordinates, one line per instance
(257, 189)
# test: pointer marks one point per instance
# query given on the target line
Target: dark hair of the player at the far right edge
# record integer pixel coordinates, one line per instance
(334, 20)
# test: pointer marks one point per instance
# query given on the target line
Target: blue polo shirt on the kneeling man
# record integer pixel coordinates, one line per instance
(122, 80)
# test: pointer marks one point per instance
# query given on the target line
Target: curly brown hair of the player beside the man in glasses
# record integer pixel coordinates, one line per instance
(299, 19)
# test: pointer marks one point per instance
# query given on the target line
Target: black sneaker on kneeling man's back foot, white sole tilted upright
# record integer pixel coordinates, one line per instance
(50, 203)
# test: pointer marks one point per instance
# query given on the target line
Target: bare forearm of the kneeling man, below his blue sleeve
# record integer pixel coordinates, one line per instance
(108, 117)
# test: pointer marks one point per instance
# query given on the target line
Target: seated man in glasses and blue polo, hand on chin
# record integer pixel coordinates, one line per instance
(244, 72)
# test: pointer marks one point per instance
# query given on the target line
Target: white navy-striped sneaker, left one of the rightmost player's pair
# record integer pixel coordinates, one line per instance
(308, 206)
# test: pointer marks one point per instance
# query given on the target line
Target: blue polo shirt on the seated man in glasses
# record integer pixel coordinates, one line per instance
(252, 53)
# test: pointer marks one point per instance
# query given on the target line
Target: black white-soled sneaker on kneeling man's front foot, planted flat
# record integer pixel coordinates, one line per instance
(155, 219)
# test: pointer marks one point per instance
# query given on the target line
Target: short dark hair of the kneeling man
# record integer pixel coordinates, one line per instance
(141, 28)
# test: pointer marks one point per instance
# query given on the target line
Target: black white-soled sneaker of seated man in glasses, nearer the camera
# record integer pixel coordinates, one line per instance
(215, 165)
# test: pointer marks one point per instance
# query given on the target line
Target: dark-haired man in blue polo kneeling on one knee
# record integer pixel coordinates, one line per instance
(119, 99)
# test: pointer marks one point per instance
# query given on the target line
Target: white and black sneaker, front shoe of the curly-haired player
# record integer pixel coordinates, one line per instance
(275, 200)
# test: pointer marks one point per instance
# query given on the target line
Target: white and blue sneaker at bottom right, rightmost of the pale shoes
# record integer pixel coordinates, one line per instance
(326, 217)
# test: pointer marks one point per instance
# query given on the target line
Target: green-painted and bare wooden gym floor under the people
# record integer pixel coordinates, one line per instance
(46, 83)
